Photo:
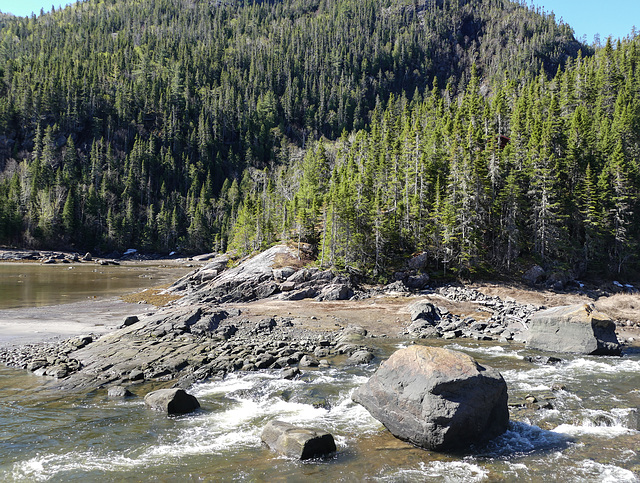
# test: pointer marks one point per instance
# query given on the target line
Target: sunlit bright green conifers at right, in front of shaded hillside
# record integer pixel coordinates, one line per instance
(547, 171)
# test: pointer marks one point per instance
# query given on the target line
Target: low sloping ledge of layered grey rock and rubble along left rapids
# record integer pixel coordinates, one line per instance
(183, 345)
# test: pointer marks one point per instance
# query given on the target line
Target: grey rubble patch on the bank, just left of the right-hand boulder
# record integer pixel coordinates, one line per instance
(508, 319)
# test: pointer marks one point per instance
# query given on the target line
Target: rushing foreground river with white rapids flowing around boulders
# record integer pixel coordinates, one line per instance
(589, 433)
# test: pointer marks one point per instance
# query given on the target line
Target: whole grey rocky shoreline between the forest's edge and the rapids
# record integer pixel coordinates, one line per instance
(212, 329)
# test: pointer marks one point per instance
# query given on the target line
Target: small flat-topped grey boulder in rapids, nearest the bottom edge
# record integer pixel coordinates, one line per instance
(295, 442)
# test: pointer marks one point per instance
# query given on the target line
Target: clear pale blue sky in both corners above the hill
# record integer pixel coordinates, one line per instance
(587, 17)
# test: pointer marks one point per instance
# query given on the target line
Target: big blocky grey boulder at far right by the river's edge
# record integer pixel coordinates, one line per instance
(577, 329)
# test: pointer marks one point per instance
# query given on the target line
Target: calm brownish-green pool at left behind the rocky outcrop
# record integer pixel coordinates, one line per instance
(35, 285)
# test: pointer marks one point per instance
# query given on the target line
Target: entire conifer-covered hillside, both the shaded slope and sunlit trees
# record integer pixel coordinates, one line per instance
(181, 124)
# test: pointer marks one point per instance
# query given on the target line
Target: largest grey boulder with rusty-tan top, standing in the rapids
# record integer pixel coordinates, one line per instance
(436, 398)
